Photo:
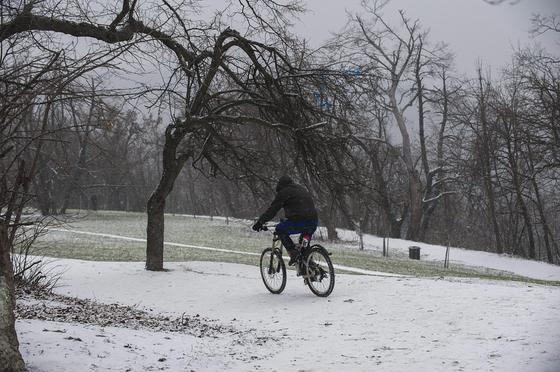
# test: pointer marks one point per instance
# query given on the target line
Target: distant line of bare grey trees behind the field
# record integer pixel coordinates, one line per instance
(410, 149)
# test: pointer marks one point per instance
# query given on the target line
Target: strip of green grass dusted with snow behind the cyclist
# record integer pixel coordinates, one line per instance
(237, 235)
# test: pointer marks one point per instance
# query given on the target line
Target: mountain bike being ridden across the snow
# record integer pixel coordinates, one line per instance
(313, 264)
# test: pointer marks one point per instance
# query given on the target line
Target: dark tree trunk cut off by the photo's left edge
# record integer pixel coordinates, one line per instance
(20, 86)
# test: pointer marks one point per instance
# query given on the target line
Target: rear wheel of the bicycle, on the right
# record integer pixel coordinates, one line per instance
(319, 271)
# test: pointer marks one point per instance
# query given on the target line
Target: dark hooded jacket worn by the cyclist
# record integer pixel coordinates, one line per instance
(295, 199)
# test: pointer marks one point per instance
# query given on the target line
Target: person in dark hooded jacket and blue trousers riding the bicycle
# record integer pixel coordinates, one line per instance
(300, 212)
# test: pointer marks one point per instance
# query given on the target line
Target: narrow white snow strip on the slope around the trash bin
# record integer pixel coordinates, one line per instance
(516, 265)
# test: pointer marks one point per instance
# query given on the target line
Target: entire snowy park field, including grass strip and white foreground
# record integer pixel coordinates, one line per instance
(409, 316)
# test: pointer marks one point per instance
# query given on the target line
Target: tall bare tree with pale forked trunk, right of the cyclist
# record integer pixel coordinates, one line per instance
(398, 60)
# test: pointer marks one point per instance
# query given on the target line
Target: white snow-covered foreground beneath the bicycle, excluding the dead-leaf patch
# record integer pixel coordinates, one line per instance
(383, 323)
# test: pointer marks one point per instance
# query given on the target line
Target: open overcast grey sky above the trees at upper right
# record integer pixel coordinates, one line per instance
(473, 29)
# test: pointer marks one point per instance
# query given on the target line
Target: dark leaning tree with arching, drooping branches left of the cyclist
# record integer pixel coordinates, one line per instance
(221, 78)
